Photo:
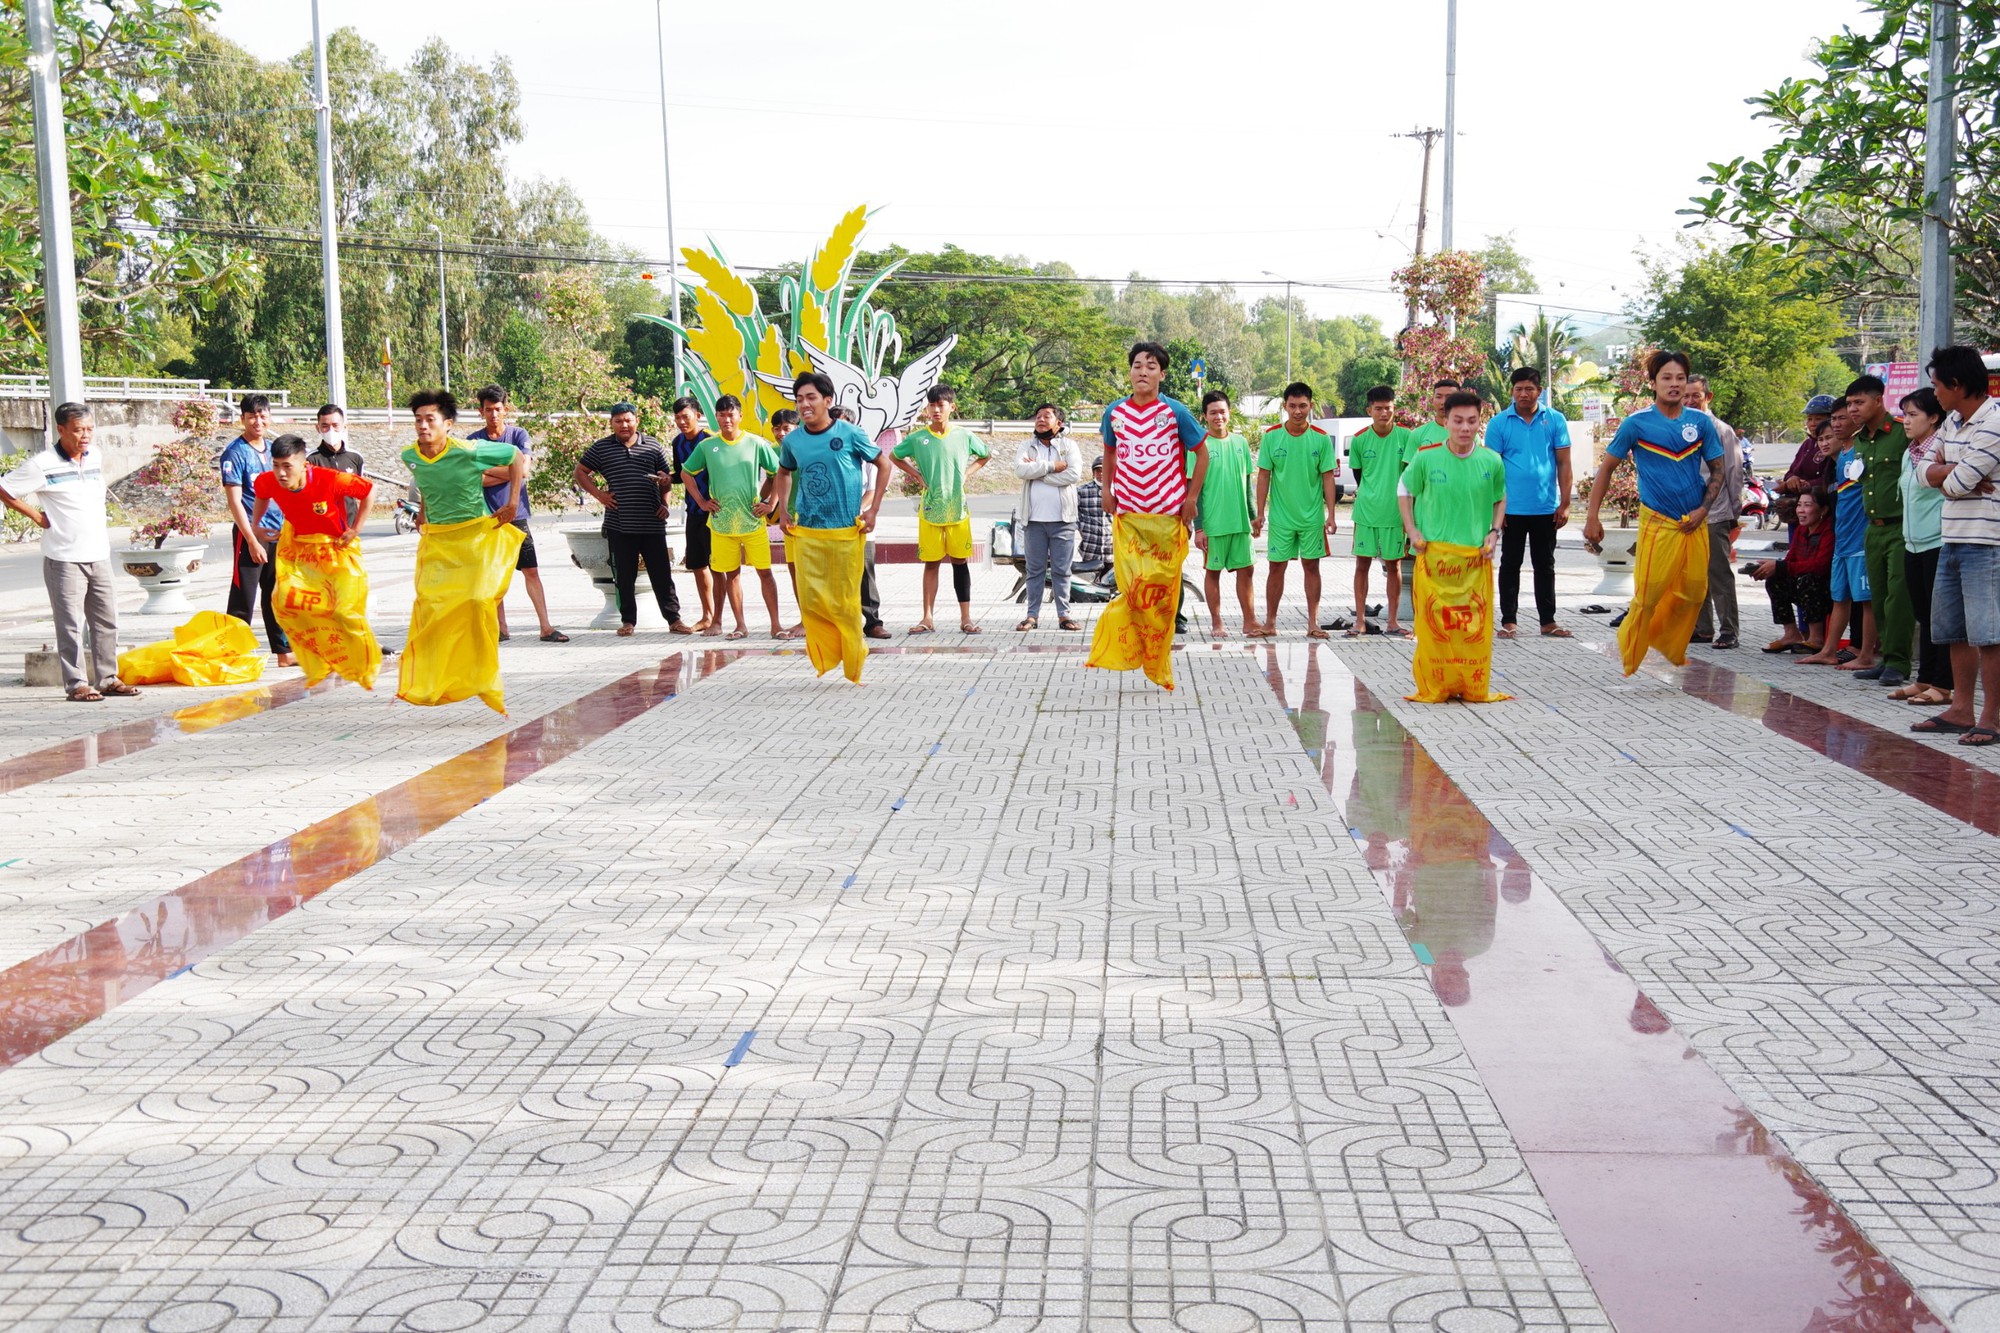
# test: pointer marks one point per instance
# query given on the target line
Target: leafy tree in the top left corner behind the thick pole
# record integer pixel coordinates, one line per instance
(131, 165)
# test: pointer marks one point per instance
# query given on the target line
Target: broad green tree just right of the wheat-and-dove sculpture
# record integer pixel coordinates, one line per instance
(1019, 345)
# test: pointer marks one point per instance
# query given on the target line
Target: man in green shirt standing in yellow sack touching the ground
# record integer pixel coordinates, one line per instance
(1453, 501)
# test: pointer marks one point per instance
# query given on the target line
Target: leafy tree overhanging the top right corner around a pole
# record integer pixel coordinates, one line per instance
(1845, 181)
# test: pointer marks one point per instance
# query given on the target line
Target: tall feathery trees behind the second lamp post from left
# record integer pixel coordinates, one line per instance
(415, 147)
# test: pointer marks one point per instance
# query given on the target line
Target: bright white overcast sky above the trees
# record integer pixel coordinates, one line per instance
(1215, 141)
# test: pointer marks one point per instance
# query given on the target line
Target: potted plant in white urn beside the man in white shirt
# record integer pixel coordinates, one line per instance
(175, 501)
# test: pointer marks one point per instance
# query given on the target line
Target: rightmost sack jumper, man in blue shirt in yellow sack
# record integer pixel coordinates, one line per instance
(1671, 445)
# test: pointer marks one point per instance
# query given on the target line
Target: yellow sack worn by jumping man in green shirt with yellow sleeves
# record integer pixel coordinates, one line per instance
(463, 571)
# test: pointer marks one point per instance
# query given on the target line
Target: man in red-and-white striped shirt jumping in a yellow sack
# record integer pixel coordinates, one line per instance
(1151, 497)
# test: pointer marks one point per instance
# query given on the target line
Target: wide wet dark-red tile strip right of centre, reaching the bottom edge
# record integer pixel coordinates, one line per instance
(1679, 1202)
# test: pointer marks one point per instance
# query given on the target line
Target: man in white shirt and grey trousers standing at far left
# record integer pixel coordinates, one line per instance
(77, 551)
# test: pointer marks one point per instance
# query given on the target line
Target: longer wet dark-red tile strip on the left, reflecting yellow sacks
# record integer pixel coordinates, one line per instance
(55, 994)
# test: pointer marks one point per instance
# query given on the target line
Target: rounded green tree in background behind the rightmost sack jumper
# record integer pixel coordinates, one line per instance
(1747, 321)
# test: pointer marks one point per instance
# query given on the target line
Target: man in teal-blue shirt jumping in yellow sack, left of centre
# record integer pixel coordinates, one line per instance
(821, 469)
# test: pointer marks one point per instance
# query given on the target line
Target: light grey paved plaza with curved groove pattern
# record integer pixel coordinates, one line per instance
(993, 996)
